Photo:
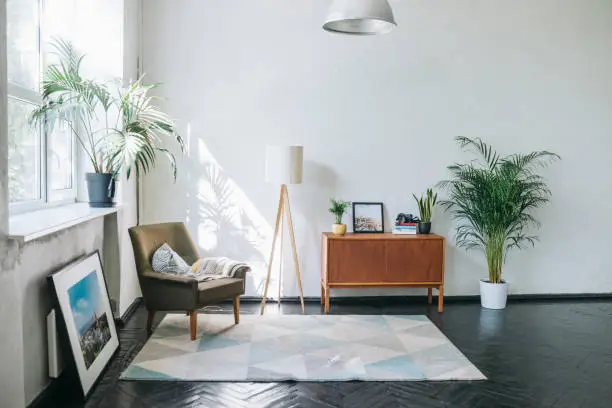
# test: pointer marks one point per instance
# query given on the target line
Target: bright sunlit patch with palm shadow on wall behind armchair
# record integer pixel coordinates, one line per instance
(222, 218)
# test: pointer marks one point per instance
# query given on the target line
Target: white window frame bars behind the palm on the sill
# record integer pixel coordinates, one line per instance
(47, 196)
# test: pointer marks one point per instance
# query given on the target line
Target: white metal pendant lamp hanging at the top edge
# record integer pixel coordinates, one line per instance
(360, 17)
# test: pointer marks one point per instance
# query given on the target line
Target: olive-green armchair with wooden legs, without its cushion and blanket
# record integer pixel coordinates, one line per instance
(171, 293)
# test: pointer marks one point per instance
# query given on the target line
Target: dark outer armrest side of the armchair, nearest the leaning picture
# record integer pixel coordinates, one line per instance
(165, 292)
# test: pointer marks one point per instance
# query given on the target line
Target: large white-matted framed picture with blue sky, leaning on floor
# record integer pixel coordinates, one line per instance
(82, 300)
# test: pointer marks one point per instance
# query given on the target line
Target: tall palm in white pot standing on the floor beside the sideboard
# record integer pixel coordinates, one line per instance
(492, 200)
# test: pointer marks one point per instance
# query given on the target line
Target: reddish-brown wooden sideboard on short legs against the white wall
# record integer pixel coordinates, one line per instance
(383, 261)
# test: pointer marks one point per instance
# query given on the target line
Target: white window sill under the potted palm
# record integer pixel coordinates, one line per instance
(37, 224)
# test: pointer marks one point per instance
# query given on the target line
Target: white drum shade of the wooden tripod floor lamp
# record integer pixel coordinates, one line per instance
(284, 164)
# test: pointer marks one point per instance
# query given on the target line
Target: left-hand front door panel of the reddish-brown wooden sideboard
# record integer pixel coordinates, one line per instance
(355, 261)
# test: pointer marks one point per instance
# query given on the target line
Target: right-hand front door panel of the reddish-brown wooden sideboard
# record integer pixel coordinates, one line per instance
(417, 261)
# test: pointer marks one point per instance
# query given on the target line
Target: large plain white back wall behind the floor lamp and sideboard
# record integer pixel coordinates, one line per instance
(377, 117)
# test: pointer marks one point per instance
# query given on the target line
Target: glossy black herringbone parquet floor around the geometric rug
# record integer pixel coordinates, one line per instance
(535, 354)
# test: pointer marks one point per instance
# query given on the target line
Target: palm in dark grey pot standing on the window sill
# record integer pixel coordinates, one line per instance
(118, 129)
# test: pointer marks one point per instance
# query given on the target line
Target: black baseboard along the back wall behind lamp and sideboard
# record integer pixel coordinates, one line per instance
(447, 299)
